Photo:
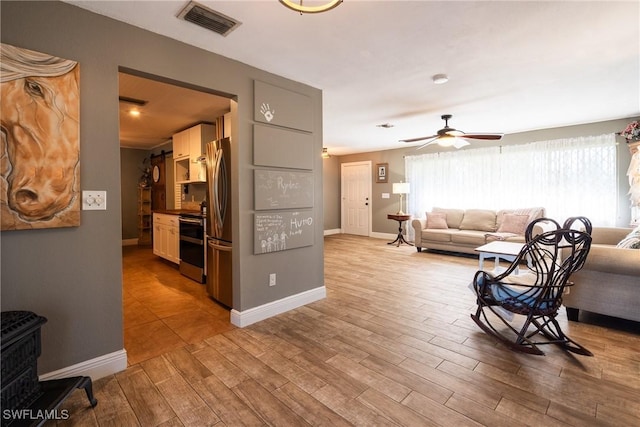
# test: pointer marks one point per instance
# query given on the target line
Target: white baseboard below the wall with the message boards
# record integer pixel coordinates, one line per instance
(256, 314)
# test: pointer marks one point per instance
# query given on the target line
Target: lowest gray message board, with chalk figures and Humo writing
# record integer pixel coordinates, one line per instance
(282, 230)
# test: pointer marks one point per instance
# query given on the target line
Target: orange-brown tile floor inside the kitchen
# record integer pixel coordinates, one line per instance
(164, 310)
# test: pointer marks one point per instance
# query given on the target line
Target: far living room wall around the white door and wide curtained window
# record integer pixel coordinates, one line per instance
(395, 158)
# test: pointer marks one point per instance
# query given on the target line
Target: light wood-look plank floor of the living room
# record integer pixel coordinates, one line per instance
(392, 344)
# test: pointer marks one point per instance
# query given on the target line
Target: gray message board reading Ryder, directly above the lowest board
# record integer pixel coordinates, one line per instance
(282, 190)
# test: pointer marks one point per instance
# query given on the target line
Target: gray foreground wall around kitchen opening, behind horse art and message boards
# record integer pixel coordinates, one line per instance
(73, 276)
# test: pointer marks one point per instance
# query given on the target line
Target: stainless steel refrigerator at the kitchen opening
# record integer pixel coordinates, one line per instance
(219, 235)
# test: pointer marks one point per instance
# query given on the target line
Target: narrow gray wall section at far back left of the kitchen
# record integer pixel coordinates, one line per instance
(130, 172)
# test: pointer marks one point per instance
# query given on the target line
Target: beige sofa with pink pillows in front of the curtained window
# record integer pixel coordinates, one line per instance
(458, 230)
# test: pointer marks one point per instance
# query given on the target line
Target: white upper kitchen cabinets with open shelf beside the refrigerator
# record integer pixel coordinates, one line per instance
(188, 149)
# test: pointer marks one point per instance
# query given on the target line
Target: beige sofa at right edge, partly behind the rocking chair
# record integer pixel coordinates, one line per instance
(609, 282)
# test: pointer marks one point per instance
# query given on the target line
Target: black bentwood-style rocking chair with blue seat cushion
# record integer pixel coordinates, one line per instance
(536, 293)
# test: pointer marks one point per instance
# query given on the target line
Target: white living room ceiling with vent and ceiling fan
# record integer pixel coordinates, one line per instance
(513, 66)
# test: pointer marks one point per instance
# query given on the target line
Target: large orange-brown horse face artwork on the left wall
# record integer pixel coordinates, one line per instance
(40, 147)
